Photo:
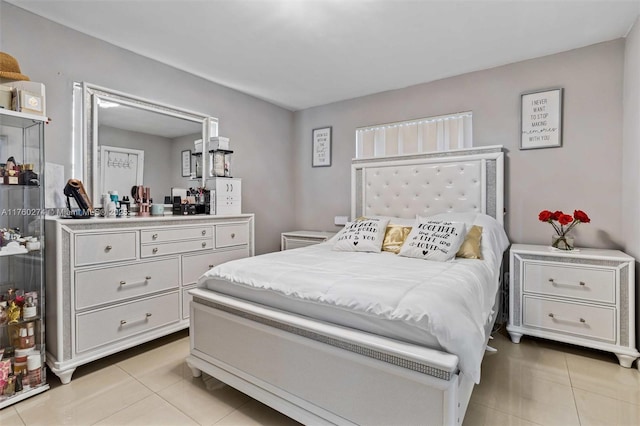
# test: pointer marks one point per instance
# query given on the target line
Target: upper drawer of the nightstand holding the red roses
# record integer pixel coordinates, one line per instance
(568, 281)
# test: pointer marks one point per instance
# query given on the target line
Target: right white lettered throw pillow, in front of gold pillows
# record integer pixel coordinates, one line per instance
(434, 240)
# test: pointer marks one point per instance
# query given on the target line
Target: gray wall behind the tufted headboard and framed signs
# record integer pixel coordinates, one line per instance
(583, 174)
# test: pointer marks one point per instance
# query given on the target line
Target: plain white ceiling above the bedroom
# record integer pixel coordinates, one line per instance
(304, 53)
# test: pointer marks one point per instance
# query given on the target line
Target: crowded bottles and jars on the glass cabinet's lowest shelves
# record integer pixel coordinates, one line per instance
(20, 356)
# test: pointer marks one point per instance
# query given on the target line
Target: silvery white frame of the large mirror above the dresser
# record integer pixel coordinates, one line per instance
(85, 128)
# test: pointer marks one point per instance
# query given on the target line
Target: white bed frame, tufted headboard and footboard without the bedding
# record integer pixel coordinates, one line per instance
(318, 373)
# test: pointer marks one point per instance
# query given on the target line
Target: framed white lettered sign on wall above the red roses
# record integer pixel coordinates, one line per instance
(541, 119)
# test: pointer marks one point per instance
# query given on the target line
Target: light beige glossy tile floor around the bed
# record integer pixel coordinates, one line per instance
(536, 382)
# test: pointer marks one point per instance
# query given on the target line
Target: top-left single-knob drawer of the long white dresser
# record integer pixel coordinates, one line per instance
(105, 247)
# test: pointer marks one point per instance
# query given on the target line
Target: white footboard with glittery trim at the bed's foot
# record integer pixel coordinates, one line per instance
(318, 373)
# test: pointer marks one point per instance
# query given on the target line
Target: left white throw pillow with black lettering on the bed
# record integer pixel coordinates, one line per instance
(362, 235)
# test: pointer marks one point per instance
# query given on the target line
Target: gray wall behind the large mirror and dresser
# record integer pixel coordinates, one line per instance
(259, 131)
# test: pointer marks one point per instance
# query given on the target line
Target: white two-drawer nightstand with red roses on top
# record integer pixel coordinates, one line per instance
(584, 297)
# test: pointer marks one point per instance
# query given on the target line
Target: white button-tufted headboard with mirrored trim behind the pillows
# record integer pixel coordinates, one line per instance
(466, 180)
